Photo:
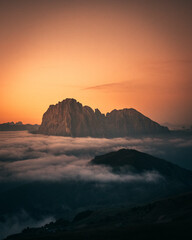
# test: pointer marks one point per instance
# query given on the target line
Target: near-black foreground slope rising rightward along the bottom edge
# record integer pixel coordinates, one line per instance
(165, 219)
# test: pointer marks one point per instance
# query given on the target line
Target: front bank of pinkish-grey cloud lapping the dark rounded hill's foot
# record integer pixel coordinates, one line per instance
(64, 167)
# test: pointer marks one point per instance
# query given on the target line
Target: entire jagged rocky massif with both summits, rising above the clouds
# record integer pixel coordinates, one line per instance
(70, 118)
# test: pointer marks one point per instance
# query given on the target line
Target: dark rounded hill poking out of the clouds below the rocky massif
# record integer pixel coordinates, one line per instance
(124, 161)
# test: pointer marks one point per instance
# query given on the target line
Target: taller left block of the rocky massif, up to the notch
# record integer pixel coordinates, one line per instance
(70, 118)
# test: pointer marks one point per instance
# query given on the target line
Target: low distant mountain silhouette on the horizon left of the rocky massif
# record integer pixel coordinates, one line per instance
(18, 126)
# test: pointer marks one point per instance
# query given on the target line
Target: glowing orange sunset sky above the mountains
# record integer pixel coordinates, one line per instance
(105, 54)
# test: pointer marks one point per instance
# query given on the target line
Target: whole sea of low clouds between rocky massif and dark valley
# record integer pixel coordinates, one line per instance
(24, 156)
